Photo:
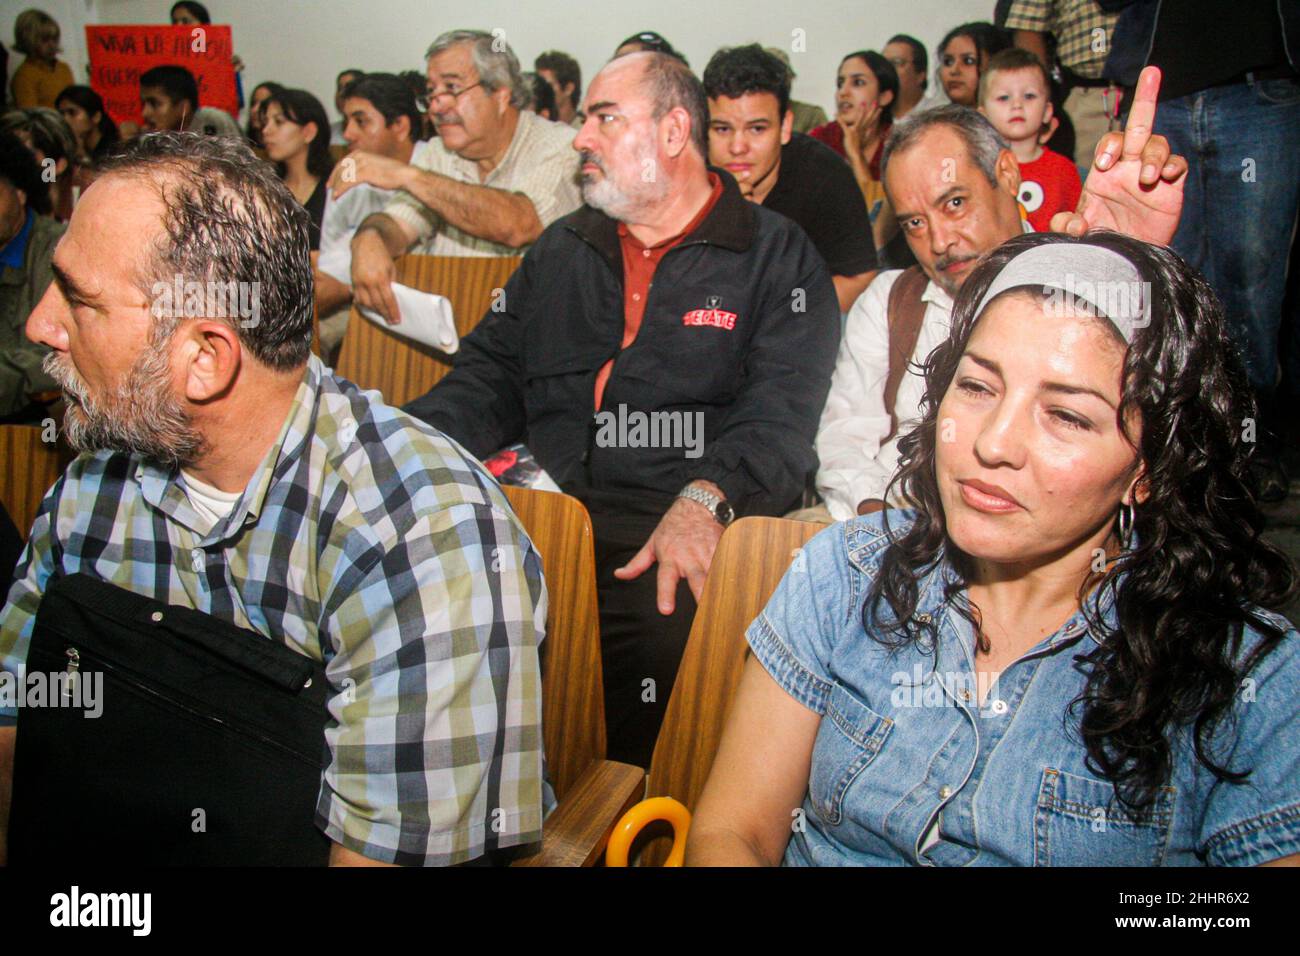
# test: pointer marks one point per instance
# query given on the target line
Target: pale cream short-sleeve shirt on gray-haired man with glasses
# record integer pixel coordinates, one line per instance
(540, 165)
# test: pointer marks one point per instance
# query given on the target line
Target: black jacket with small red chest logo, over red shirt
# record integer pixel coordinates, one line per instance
(528, 371)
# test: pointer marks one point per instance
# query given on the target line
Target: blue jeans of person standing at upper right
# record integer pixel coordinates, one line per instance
(1243, 189)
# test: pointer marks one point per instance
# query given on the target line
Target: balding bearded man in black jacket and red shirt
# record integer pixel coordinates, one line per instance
(665, 353)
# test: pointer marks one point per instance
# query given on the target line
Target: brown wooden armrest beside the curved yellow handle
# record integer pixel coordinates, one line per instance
(577, 832)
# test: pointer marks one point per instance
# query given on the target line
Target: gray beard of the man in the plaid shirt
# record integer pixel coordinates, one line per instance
(138, 417)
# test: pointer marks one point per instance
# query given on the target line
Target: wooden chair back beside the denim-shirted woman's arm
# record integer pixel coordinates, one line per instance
(752, 557)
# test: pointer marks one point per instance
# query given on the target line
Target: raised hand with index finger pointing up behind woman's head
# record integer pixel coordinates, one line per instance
(1136, 185)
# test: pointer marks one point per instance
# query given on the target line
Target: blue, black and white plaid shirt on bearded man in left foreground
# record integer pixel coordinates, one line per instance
(375, 544)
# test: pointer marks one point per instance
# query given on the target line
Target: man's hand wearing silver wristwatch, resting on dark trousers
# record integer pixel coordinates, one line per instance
(683, 544)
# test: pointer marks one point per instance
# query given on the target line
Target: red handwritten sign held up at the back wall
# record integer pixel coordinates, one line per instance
(120, 54)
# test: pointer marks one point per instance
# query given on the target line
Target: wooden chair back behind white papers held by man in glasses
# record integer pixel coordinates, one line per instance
(401, 370)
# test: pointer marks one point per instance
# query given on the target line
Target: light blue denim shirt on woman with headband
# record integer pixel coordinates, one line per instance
(904, 738)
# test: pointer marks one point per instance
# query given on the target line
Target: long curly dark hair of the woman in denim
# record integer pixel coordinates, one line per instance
(1185, 591)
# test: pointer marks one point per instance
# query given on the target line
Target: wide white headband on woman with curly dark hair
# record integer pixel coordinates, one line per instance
(1093, 279)
